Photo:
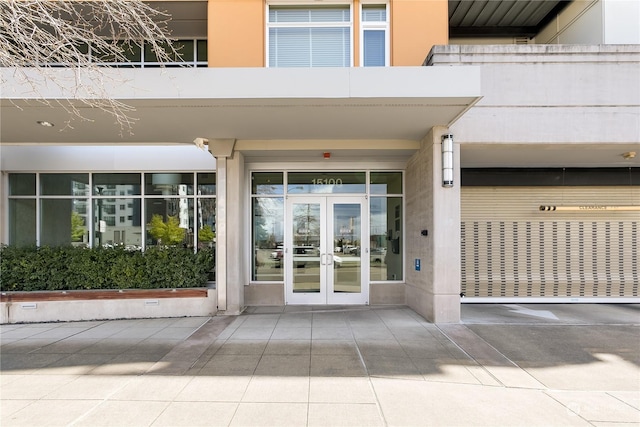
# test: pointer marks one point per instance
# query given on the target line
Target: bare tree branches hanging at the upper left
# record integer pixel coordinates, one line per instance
(85, 36)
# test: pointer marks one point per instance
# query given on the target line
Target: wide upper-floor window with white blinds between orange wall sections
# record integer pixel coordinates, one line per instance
(309, 36)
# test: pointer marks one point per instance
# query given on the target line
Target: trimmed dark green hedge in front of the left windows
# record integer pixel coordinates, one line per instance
(69, 268)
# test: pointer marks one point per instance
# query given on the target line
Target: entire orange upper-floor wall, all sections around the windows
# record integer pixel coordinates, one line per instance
(237, 31)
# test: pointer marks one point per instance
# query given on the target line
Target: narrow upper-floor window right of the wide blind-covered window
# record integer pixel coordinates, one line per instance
(375, 30)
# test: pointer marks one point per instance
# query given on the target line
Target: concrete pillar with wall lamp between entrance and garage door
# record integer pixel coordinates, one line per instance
(433, 291)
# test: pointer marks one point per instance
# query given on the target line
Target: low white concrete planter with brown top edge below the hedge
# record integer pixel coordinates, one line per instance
(66, 306)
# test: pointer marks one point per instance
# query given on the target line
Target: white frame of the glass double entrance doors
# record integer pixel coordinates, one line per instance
(327, 270)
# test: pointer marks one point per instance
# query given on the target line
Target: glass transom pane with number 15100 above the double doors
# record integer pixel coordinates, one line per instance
(326, 182)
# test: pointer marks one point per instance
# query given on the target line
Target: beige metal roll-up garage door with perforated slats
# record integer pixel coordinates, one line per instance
(584, 250)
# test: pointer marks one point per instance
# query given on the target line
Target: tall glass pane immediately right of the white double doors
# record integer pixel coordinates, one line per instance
(386, 228)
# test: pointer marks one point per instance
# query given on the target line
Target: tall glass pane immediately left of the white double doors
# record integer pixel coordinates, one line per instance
(267, 221)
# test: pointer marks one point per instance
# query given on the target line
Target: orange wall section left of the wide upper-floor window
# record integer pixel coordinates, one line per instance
(236, 33)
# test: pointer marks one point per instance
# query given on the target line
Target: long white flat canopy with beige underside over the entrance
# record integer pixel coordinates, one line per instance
(176, 106)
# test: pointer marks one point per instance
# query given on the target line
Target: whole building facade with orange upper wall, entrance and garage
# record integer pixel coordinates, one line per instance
(360, 152)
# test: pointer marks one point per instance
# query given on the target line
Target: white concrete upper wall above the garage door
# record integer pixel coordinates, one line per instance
(557, 94)
